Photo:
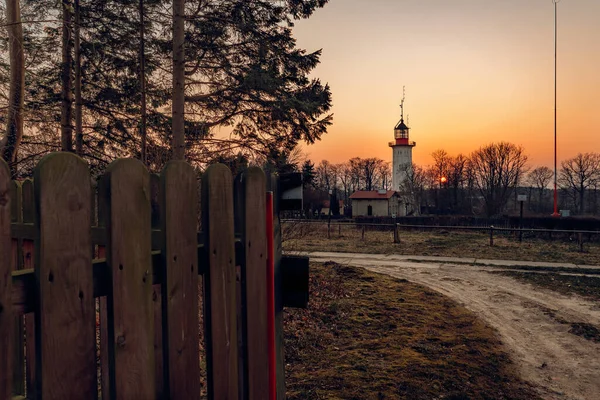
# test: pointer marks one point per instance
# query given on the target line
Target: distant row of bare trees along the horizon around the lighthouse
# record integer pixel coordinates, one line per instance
(485, 182)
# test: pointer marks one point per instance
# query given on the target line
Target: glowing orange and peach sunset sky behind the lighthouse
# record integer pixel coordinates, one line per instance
(475, 71)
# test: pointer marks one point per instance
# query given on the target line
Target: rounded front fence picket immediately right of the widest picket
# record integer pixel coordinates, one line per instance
(130, 312)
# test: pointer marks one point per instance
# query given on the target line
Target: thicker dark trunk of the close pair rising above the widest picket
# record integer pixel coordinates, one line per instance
(66, 133)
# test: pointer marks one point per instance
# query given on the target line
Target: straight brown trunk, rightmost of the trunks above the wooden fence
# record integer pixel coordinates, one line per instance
(178, 143)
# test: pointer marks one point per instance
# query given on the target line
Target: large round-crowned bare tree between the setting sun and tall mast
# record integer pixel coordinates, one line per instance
(496, 171)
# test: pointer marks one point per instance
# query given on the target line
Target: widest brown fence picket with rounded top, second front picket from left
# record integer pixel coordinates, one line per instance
(65, 334)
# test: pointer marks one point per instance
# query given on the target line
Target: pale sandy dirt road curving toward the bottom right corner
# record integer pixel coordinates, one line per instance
(533, 323)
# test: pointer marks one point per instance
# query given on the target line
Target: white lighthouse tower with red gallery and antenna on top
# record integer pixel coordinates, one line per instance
(402, 151)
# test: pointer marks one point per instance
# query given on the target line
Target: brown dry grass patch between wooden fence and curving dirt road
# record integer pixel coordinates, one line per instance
(369, 336)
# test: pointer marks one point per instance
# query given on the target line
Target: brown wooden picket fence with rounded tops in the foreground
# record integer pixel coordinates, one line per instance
(132, 257)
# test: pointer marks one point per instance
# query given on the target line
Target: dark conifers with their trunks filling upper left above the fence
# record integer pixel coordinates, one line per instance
(157, 79)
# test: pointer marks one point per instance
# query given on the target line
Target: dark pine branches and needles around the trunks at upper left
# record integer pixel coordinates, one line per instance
(244, 77)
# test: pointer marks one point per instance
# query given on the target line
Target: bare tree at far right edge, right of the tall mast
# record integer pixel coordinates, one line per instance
(578, 174)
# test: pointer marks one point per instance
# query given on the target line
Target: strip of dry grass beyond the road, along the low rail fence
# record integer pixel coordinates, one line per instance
(440, 243)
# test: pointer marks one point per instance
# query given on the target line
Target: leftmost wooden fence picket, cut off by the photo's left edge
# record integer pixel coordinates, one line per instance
(6, 312)
